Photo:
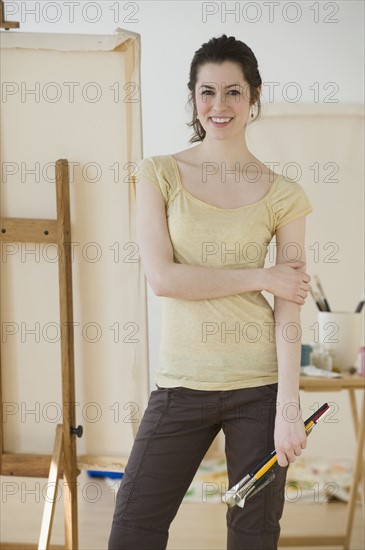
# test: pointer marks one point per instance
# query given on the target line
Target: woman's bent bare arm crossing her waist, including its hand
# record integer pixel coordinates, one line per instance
(190, 282)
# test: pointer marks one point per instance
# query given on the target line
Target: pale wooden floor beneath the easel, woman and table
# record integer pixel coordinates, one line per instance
(196, 527)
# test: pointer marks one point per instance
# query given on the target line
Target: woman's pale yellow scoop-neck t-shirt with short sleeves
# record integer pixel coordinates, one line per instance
(228, 342)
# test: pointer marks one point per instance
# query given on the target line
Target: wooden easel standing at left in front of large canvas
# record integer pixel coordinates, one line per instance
(64, 459)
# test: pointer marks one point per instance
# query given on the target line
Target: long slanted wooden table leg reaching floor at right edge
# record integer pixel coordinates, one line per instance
(357, 473)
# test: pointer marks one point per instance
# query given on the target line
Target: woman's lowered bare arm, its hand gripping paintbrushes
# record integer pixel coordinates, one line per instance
(289, 435)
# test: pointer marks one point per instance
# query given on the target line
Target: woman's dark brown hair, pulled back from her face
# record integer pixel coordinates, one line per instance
(218, 50)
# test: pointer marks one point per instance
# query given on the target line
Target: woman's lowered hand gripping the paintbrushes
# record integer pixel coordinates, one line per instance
(289, 433)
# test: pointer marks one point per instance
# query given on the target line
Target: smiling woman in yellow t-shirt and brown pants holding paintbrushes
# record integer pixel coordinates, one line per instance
(205, 218)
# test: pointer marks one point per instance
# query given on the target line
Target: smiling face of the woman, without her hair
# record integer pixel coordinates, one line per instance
(222, 91)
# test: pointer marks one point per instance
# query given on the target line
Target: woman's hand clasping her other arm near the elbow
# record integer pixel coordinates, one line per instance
(288, 282)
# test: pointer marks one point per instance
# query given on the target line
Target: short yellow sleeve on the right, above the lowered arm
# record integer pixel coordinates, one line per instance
(288, 202)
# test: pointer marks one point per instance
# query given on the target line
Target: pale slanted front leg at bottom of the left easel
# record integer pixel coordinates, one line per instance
(53, 484)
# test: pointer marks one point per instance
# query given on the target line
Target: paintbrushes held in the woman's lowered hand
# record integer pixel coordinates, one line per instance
(262, 474)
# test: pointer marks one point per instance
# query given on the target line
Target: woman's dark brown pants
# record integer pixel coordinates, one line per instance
(177, 428)
